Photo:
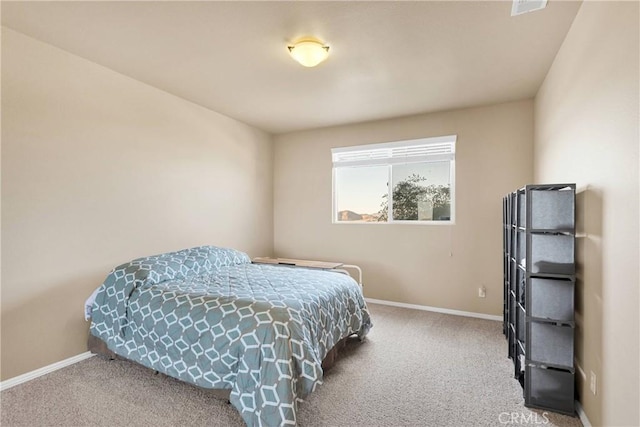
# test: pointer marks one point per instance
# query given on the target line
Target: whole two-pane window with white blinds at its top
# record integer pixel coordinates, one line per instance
(401, 182)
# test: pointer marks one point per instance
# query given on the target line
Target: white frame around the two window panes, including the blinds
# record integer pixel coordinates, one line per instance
(423, 150)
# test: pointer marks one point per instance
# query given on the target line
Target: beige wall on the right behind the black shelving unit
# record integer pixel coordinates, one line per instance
(586, 131)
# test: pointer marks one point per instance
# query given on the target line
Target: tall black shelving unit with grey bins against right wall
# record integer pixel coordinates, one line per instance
(539, 292)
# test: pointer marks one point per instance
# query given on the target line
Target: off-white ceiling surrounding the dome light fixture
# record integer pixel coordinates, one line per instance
(387, 59)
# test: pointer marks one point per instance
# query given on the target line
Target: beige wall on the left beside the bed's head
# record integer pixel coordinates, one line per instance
(98, 168)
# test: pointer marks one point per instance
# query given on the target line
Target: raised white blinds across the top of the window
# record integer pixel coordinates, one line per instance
(415, 150)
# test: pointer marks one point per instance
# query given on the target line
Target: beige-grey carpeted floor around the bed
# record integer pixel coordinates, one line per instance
(415, 369)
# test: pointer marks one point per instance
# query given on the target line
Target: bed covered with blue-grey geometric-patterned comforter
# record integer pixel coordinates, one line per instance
(210, 317)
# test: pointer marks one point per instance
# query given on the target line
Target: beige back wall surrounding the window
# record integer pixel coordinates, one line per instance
(411, 263)
